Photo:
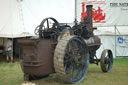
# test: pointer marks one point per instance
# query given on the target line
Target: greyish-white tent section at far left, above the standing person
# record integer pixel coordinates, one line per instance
(11, 20)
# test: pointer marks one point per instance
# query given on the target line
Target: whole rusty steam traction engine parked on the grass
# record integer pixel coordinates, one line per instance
(63, 50)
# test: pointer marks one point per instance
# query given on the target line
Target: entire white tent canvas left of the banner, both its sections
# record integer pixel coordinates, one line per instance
(19, 18)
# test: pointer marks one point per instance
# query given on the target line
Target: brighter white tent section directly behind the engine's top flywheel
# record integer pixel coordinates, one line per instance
(34, 11)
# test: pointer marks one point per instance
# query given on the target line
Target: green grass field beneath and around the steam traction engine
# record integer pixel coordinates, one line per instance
(11, 74)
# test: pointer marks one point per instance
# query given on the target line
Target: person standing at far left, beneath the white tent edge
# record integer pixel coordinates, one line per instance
(8, 50)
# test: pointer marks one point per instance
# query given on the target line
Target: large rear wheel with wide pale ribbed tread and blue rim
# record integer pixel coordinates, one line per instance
(71, 59)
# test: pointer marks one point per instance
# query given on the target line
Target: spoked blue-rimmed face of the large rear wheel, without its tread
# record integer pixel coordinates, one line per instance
(76, 63)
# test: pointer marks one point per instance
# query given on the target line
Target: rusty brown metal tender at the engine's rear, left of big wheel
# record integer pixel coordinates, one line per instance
(37, 57)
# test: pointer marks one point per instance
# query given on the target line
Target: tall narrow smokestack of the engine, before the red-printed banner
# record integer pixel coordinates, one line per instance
(89, 16)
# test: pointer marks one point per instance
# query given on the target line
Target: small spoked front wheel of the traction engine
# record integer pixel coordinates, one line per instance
(106, 61)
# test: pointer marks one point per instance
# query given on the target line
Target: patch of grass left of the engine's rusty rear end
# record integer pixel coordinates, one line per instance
(10, 74)
